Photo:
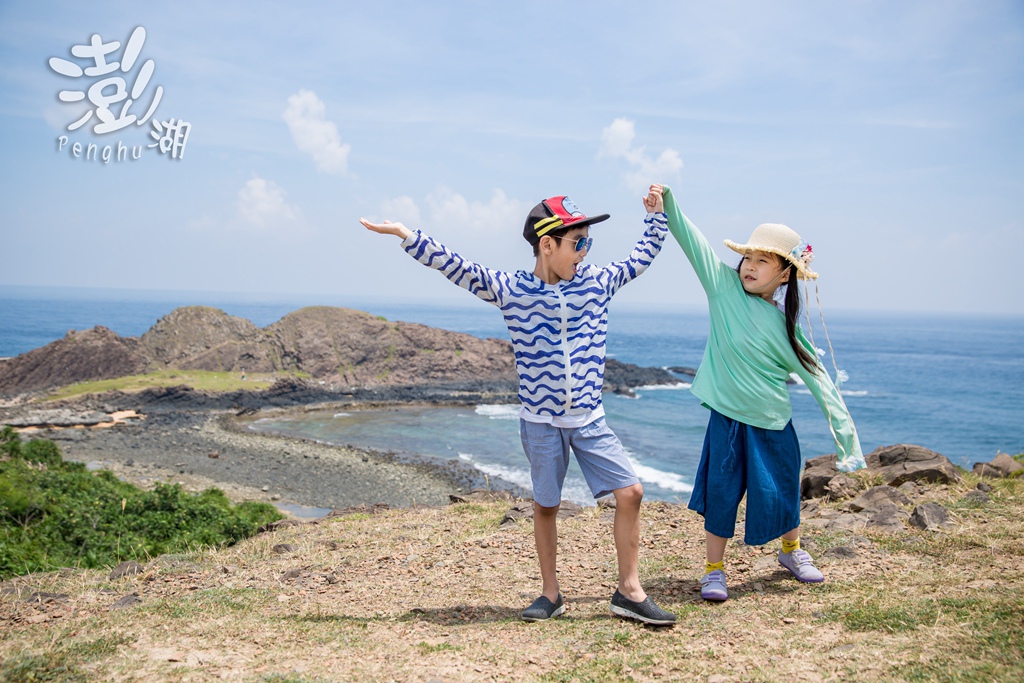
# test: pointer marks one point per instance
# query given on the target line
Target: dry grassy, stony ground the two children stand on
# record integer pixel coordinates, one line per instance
(435, 594)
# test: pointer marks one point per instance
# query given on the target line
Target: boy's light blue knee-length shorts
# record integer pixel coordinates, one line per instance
(598, 450)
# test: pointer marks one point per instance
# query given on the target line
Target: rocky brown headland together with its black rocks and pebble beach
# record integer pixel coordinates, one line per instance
(314, 359)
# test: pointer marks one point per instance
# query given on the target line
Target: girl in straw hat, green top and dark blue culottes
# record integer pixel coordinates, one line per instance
(752, 350)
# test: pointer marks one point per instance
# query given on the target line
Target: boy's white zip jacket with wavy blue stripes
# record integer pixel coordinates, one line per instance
(559, 331)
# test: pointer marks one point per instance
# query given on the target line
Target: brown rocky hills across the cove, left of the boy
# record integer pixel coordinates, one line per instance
(338, 346)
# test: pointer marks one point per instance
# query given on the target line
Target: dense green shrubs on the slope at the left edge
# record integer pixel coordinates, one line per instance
(59, 515)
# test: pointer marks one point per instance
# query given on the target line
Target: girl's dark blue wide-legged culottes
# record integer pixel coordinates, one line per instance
(764, 463)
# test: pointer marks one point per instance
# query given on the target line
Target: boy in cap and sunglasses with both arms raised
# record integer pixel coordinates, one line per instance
(558, 318)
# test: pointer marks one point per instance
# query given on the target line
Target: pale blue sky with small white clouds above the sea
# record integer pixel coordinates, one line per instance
(888, 135)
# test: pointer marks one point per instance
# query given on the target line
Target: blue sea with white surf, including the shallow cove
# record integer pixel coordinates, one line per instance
(952, 383)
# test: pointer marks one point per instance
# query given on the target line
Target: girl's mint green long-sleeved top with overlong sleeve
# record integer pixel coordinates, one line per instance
(748, 358)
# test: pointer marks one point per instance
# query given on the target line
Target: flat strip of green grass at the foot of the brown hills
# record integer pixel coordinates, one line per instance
(197, 379)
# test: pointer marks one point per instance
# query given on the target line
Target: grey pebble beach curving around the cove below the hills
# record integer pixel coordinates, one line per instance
(204, 449)
